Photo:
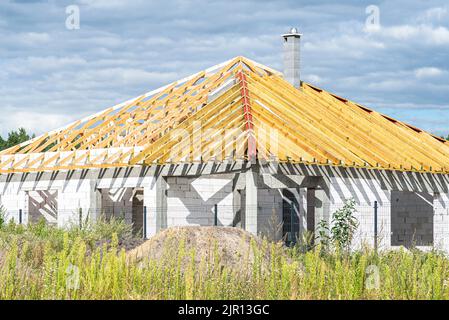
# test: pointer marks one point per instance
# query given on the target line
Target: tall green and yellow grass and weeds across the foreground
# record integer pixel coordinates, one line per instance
(41, 262)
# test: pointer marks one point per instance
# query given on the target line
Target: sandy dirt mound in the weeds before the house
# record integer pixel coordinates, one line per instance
(228, 247)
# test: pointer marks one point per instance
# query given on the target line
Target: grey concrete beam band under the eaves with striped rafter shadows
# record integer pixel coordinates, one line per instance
(136, 176)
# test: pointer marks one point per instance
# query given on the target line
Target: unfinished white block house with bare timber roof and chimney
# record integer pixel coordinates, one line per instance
(243, 145)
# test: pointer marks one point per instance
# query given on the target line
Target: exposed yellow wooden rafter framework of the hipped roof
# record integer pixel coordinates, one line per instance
(230, 112)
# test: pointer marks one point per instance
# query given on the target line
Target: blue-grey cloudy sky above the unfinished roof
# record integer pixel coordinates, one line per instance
(51, 75)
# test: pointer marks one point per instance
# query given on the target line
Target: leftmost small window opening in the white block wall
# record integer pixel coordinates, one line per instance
(43, 206)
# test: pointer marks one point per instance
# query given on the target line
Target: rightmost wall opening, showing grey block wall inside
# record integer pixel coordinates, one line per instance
(411, 219)
